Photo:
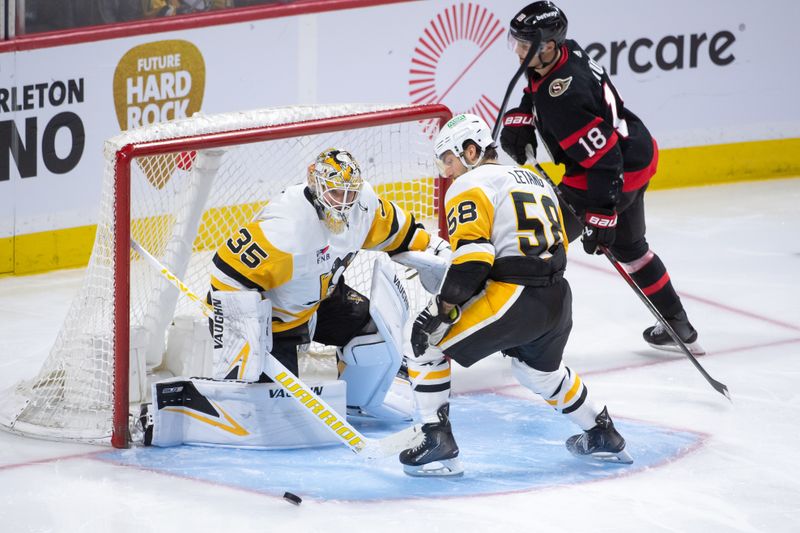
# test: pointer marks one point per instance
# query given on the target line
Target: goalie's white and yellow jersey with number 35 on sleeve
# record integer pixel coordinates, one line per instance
(289, 255)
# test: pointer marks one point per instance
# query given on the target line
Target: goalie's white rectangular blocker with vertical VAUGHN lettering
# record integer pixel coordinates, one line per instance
(241, 329)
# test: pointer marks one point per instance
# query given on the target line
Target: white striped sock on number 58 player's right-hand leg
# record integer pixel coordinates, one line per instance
(562, 389)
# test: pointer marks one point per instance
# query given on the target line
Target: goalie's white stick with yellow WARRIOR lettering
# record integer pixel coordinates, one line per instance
(296, 388)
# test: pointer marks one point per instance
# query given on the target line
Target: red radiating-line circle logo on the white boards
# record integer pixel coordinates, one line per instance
(446, 62)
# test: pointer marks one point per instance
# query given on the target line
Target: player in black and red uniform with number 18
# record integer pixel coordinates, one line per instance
(608, 154)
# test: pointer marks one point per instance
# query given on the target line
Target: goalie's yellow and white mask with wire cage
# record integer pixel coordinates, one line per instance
(335, 183)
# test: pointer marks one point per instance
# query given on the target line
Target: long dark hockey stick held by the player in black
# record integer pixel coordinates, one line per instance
(719, 387)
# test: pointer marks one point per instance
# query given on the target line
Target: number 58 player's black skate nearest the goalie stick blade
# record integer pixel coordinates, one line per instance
(437, 454)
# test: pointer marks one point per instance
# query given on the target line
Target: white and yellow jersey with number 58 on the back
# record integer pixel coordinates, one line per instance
(497, 211)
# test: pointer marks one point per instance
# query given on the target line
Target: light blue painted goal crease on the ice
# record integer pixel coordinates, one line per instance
(508, 445)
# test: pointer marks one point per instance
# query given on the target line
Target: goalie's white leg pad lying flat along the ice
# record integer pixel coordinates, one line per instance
(237, 414)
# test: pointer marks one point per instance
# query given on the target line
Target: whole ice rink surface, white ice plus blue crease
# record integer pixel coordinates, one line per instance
(733, 253)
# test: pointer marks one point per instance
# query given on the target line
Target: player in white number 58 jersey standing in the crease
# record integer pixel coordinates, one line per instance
(504, 292)
